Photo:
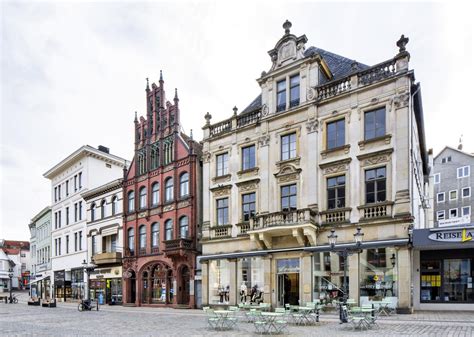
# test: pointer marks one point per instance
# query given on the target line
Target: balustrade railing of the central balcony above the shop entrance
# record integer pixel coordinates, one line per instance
(296, 217)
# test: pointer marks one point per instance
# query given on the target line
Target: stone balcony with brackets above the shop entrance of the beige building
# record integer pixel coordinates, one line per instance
(301, 224)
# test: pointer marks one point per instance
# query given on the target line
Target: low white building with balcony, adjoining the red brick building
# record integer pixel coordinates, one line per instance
(104, 206)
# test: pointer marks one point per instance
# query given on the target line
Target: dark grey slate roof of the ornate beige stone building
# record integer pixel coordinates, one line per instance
(340, 67)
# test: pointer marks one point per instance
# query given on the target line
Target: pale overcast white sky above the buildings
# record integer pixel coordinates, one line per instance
(74, 73)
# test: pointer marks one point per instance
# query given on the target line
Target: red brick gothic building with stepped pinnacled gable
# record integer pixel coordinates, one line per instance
(161, 210)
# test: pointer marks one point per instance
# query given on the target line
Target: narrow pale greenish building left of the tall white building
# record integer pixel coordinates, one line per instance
(40, 244)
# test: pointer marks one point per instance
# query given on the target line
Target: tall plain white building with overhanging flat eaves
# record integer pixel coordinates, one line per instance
(84, 169)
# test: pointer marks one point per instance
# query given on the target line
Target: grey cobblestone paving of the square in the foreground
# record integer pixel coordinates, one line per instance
(65, 320)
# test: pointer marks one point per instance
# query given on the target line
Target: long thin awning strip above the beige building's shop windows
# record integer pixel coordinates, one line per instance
(323, 248)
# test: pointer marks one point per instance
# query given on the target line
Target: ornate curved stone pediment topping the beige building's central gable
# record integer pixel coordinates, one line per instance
(289, 49)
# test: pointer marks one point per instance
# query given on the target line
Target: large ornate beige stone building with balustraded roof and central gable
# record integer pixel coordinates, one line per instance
(329, 143)
